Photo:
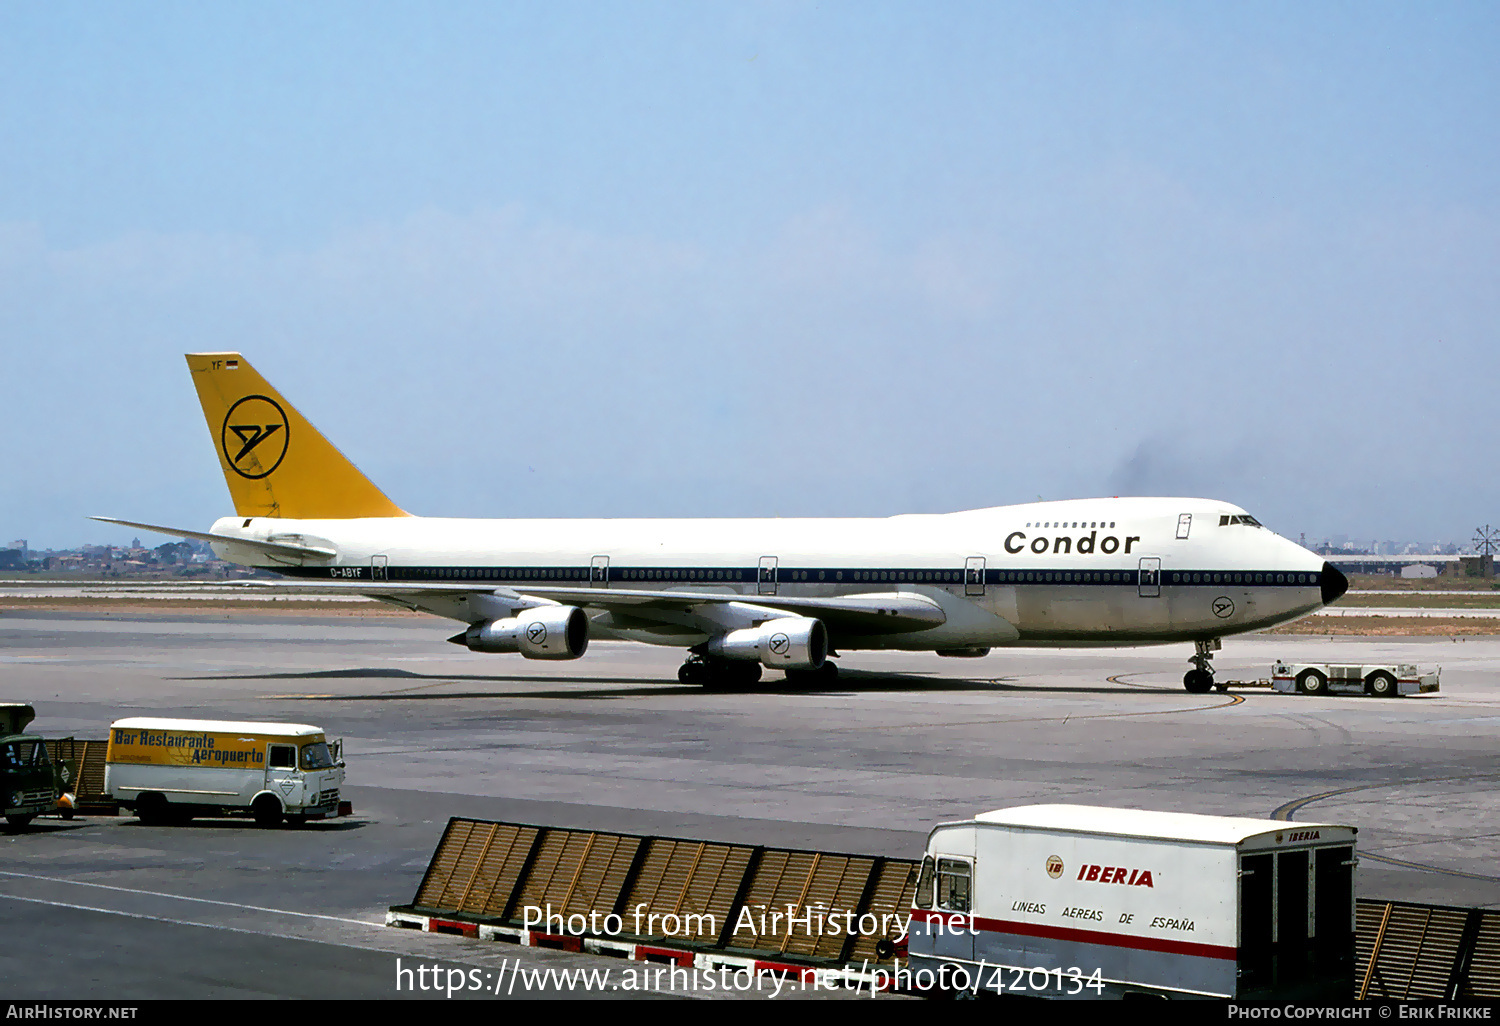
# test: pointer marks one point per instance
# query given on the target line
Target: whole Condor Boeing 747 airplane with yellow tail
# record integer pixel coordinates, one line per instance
(743, 595)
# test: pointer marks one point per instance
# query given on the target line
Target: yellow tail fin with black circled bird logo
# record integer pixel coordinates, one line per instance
(275, 463)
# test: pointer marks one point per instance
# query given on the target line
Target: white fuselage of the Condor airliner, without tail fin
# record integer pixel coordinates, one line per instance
(1067, 574)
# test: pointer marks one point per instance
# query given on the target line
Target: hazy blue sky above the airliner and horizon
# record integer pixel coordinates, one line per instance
(760, 259)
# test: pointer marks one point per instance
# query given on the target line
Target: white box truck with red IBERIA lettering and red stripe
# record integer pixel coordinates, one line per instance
(1088, 902)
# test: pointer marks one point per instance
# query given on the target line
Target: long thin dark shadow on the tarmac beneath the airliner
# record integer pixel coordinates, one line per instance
(850, 682)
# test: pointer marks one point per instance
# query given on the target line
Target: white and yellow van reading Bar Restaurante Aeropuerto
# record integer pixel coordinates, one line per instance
(175, 770)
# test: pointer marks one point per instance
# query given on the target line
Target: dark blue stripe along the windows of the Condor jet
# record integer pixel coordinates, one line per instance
(565, 575)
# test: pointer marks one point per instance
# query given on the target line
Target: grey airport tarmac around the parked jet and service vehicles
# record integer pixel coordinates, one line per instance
(107, 908)
